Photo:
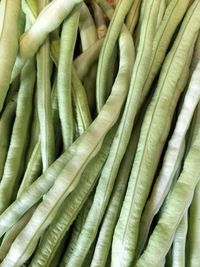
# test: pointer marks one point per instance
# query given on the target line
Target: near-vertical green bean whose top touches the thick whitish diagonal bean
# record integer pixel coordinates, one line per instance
(68, 39)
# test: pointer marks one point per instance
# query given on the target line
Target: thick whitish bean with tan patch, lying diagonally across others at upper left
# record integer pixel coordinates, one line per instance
(32, 39)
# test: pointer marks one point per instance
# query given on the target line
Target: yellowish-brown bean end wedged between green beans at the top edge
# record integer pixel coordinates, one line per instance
(133, 15)
